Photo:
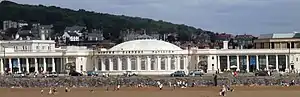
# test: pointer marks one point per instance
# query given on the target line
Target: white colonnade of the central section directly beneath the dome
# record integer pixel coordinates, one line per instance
(140, 63)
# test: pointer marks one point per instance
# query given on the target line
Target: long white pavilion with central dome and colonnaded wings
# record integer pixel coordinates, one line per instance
(146, 57)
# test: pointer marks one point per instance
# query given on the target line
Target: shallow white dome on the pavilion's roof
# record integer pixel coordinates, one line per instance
(148, 44)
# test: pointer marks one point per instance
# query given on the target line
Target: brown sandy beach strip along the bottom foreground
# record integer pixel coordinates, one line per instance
(241, 91)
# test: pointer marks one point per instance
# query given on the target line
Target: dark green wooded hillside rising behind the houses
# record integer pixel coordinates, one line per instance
(110, 24)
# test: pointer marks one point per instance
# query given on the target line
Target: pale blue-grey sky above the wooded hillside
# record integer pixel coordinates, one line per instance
(230, 16)
